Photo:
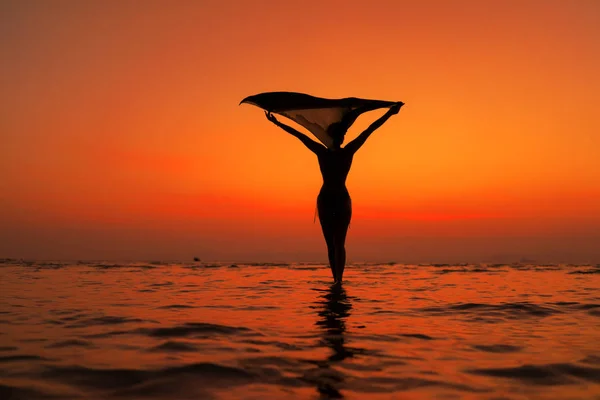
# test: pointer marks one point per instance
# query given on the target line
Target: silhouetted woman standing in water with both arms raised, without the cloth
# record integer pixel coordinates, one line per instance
(333, 203)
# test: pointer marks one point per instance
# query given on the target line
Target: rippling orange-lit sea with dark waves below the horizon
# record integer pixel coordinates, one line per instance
(98, 330)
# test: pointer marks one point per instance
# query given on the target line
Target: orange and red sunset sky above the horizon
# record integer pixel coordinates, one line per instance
(121, 136)
